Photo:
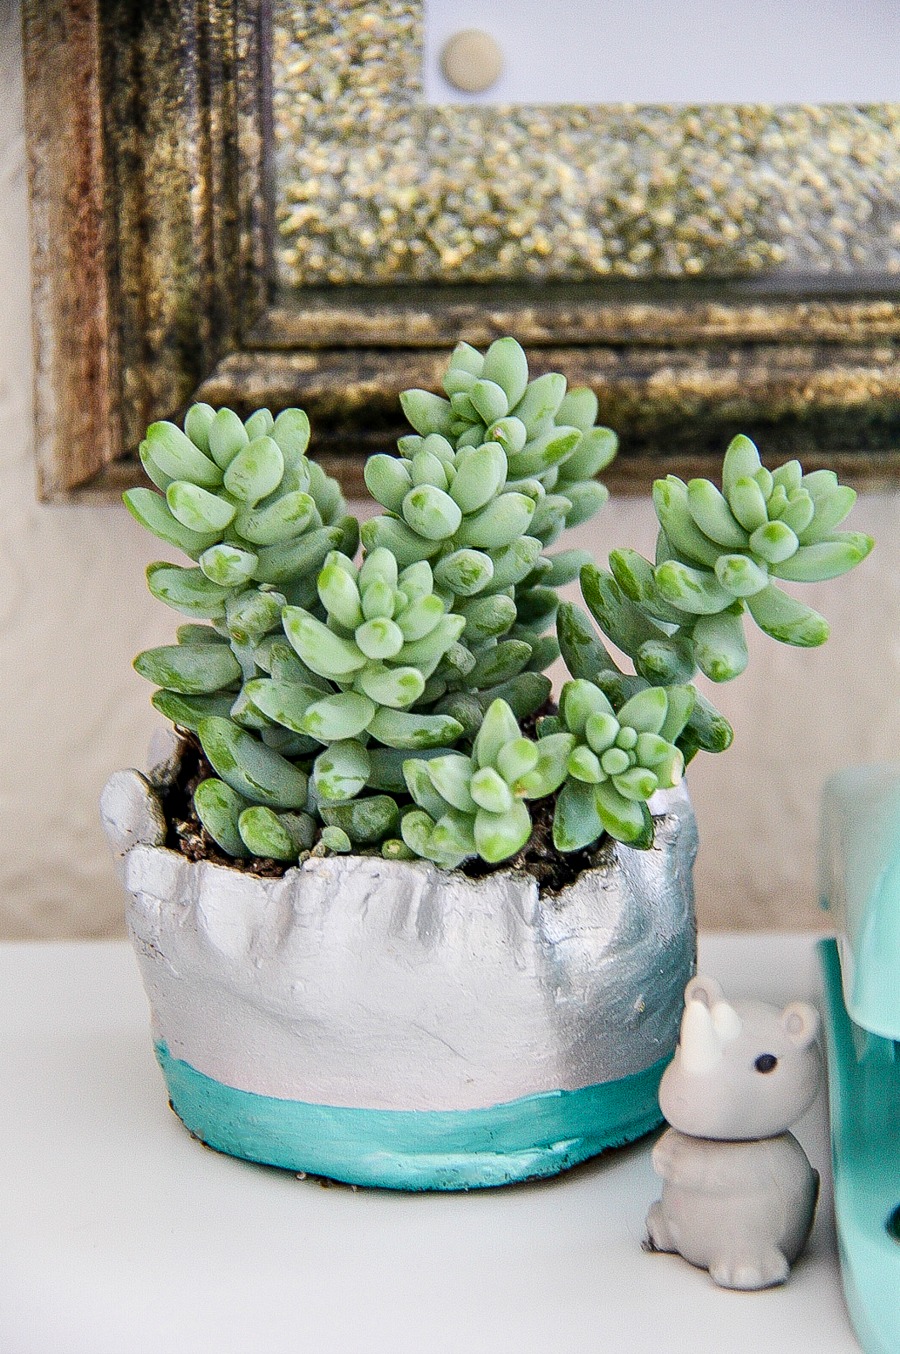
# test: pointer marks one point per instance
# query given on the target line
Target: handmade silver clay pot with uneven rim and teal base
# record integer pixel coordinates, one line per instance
(393, 1024)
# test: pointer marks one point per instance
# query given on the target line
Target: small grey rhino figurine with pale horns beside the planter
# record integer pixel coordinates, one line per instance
(740, 1195)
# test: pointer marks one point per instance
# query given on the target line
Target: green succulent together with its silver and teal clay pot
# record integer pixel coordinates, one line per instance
(403, 920)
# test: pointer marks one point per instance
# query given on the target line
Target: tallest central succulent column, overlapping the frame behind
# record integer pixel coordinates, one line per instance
(492, 476)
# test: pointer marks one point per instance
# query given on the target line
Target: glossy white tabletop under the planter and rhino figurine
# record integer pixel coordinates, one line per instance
(122, 1236)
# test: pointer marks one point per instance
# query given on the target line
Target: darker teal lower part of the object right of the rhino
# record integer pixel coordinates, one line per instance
(864, 1091)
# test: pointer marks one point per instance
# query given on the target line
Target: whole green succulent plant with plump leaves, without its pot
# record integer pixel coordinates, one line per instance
(377, 703)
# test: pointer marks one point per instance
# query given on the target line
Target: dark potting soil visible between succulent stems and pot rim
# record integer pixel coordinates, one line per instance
(539, 858)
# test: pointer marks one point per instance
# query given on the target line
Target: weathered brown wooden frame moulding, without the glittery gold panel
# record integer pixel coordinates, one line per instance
(158, 280)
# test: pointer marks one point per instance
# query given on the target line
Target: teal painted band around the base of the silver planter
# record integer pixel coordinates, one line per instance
(416, 1150)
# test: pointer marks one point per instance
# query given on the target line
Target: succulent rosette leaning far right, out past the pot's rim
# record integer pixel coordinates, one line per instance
(721, 554)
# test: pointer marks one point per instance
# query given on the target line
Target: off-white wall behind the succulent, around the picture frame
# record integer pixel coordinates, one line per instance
(74, 611)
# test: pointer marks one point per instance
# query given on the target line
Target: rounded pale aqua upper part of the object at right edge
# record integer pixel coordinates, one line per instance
(861, 889)
